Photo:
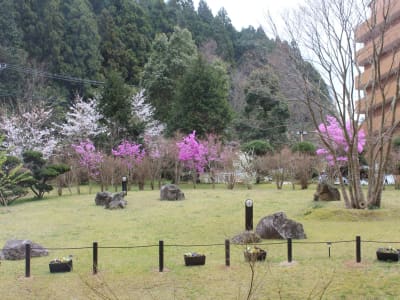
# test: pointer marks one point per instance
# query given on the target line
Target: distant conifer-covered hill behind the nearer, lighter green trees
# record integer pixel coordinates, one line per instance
(52, 50)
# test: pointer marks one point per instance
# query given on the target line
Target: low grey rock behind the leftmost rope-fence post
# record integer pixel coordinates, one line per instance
(15, 250)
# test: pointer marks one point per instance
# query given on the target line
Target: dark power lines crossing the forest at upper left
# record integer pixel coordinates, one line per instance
(27, 70)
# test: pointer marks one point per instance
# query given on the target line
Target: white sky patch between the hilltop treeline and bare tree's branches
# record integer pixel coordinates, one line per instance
(251, 12)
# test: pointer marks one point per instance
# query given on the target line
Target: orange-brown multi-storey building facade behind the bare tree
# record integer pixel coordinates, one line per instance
(380, 60)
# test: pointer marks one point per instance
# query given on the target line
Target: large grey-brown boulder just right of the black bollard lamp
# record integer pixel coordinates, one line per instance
(278, 226)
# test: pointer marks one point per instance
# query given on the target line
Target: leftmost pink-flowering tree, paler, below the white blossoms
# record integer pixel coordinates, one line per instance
(90, 159)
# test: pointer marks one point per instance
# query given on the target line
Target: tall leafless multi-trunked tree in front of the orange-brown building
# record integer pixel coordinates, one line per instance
(328, 33)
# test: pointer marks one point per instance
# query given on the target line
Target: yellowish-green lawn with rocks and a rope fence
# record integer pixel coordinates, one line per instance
(206, 217)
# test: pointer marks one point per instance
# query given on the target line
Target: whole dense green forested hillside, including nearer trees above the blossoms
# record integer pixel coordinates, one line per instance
(194, 68)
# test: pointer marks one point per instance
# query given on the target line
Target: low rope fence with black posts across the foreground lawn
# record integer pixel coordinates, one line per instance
(161, 245)
